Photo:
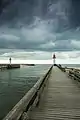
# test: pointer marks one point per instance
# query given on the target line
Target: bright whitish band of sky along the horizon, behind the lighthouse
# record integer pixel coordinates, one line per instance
(69, 57)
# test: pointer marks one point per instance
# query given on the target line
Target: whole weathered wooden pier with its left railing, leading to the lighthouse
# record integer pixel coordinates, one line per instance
(54, 97)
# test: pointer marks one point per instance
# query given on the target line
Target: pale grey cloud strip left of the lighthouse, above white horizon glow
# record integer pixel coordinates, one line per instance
(24, 54)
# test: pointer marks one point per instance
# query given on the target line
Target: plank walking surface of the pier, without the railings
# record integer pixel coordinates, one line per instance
(60, 99)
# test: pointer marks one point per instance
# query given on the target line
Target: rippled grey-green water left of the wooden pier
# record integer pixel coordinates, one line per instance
(15, 83)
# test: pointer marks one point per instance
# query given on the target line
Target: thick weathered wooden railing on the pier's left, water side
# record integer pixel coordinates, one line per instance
(19, 112)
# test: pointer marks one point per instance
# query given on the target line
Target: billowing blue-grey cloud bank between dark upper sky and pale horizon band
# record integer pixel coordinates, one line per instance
(39, 37)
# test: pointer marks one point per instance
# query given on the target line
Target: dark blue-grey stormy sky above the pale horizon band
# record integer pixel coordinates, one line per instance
(40, 25)
